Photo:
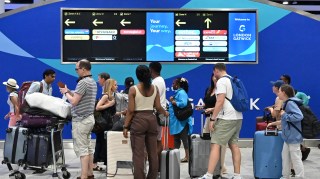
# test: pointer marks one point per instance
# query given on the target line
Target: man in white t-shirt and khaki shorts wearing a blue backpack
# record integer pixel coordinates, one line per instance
(228, 123)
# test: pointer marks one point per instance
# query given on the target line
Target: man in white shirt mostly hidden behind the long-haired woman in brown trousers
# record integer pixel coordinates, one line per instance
(157, 80)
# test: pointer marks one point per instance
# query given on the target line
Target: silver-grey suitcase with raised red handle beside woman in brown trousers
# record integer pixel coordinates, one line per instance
(170, 161)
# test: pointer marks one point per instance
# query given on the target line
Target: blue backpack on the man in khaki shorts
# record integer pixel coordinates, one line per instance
(240, 99)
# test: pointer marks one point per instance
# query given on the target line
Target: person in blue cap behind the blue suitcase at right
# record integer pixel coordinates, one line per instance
(276, 108)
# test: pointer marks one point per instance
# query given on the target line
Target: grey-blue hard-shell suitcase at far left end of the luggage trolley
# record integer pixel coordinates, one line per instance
(15, 146)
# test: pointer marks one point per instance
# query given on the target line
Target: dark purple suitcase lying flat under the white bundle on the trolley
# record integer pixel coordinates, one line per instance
(37, 121)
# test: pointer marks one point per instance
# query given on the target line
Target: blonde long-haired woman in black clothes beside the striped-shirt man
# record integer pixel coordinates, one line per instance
(107, 107)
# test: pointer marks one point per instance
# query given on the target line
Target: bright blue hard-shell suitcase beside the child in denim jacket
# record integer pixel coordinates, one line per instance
(267, 148)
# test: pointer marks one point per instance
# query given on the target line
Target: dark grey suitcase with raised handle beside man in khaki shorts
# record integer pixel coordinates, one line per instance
(199, 154)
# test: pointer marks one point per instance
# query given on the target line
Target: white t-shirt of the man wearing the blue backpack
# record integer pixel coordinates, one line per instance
(227, 112)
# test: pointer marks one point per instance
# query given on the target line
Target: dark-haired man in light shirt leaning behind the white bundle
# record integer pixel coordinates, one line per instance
(48, 76)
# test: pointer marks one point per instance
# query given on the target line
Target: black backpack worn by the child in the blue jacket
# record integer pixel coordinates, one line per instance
(309, 124)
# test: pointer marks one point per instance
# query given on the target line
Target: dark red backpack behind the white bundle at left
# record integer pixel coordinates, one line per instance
(23, 105)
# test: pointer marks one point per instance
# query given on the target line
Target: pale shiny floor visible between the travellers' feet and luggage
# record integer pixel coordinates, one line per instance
(312, 167)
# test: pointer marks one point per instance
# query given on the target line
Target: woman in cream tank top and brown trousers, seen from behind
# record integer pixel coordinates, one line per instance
(142, 122)
